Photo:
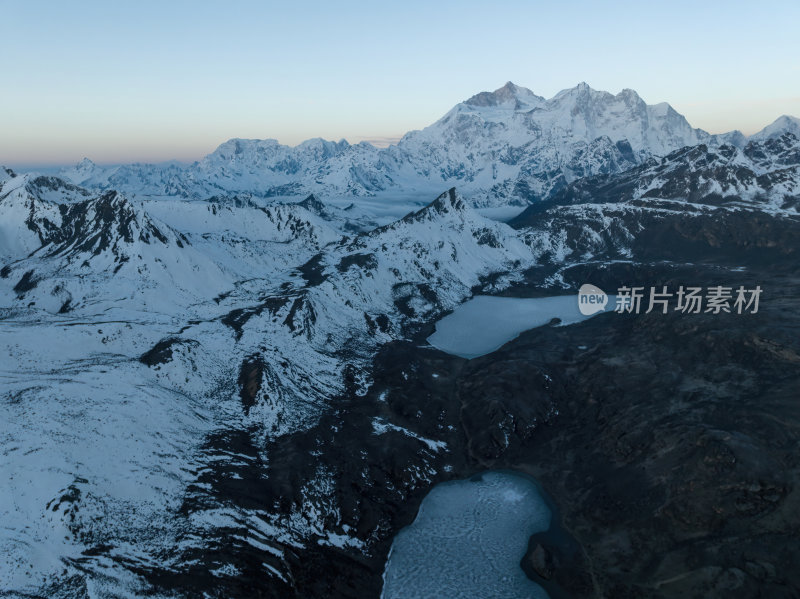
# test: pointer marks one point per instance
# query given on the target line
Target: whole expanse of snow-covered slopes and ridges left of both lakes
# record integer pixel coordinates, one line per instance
(127, 326)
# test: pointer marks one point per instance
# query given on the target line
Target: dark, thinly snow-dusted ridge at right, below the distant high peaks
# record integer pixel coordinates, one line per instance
(696, 203)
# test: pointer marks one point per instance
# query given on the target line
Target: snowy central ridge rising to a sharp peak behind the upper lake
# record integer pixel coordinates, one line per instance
(360, 291)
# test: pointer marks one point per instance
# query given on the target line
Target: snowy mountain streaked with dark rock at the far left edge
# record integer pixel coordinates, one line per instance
(66, 253)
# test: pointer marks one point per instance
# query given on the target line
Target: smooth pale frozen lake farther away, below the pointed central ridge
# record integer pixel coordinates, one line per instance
(486, 323)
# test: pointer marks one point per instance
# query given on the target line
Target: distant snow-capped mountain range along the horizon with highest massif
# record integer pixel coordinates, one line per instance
(504, 147)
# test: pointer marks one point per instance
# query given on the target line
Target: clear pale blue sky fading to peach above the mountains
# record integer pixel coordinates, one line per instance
(171, 79)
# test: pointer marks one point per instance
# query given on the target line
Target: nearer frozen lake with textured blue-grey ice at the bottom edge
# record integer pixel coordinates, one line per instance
(467, 541)
